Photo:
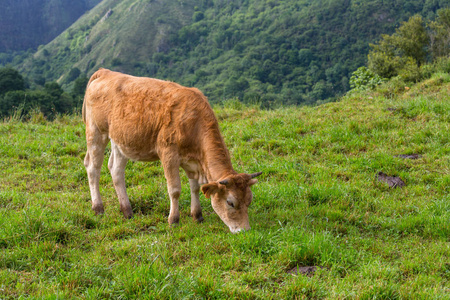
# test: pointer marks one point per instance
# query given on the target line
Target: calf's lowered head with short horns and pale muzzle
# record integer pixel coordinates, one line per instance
(230, 199)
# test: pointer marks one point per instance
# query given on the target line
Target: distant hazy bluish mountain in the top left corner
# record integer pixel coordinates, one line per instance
(29, 23)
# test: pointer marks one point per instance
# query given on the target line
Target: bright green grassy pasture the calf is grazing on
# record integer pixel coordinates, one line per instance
(317, 203)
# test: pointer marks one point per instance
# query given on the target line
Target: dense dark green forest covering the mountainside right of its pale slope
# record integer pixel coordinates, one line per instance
(286, 52)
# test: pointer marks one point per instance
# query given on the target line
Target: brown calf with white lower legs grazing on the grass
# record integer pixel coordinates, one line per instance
(148, 119)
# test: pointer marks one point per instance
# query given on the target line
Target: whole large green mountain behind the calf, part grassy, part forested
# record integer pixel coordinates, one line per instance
(274, 52)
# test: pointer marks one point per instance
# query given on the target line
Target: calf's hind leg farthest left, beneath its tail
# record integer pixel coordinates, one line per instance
(96, 144)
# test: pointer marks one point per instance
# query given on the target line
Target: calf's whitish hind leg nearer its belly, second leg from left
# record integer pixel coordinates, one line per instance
(116, 165)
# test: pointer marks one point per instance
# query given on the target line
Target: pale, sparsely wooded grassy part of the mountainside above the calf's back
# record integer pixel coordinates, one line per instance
(114, 33)
